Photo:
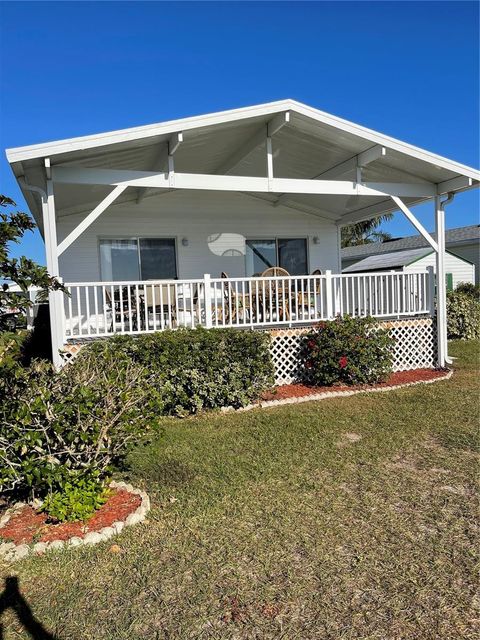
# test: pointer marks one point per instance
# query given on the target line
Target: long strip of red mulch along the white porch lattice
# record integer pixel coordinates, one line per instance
(286, 391)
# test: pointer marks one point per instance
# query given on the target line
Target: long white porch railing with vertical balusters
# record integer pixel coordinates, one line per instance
(106, 308)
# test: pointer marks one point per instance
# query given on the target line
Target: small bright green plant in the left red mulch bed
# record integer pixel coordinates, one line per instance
(78, 499)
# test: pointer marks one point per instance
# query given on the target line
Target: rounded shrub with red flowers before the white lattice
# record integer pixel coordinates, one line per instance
(348, 351)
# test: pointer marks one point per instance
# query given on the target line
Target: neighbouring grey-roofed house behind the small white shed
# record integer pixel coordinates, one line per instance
(462, 241)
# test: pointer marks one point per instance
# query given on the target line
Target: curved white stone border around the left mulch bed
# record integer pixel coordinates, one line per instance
(11, 552)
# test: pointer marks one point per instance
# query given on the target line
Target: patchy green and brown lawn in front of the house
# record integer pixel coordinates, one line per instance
(347, 518)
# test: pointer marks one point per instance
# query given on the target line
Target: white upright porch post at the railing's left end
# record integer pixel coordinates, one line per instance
(55, 298)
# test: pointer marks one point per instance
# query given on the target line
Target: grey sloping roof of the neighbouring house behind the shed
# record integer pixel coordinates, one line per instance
(460, 235)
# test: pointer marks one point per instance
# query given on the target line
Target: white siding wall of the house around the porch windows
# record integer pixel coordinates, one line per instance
(199, 217)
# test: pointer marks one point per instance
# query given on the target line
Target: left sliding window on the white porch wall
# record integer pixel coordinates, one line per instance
(138, 259)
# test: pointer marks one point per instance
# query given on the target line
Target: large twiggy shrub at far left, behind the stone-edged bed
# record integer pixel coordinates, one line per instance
(58, 427)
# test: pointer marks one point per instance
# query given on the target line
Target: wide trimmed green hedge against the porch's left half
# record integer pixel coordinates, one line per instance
(197, 369)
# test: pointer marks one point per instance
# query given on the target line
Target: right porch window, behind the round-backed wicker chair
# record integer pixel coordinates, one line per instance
(289, 253)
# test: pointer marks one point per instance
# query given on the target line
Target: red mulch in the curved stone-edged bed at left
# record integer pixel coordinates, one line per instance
(27, 525)
